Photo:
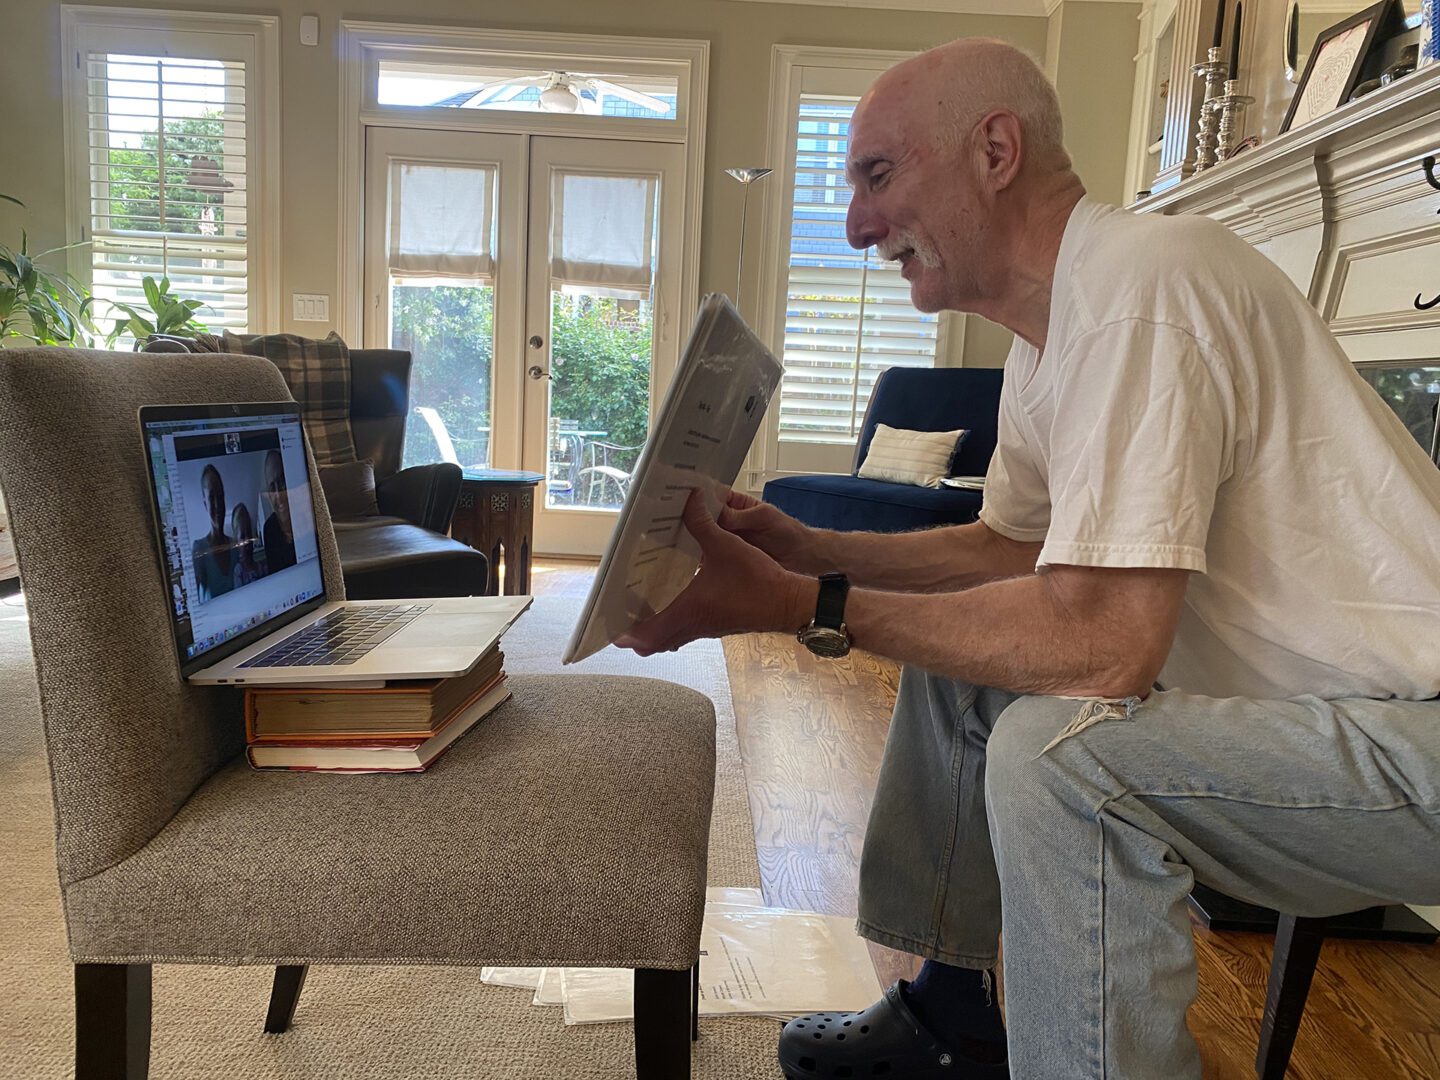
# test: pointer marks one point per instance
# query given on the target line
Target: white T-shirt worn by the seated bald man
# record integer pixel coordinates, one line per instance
(1193, 411)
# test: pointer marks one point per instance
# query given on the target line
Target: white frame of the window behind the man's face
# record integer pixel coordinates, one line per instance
(796, 70)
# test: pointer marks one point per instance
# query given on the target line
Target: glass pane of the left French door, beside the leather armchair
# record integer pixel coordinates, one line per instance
(443, 307)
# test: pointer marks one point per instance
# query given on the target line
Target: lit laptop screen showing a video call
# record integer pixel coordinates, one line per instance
(233, 503)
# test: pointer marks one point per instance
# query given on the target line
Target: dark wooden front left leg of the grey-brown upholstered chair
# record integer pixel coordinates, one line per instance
(112, 1022)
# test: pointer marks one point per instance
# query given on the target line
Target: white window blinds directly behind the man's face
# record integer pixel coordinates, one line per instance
(847, 315)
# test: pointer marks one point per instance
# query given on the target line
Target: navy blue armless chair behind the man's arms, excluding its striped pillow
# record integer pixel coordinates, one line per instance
(917, 400)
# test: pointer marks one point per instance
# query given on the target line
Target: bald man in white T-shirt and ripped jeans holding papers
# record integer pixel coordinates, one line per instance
(1192, 489)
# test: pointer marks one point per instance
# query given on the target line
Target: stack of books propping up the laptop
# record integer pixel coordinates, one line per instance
(400, 728)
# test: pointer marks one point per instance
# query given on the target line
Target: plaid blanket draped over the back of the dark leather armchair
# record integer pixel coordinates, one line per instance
(319, 378)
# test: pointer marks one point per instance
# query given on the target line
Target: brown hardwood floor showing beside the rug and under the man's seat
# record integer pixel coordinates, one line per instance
(813, 732)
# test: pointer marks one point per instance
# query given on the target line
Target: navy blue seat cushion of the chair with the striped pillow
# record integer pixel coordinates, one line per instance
(873, 506)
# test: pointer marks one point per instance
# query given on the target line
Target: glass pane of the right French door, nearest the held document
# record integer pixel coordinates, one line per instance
(603, 263)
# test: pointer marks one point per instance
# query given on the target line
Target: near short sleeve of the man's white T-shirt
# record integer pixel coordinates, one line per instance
(1143, 438)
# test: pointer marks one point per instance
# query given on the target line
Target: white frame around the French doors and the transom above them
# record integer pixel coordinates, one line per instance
(364, 44)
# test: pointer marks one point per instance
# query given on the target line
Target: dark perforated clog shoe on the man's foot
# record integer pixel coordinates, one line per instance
(885, 1040)
